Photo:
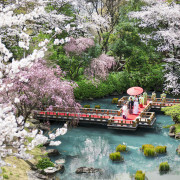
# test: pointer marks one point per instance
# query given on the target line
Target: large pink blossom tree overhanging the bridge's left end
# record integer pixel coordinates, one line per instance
(31, 87)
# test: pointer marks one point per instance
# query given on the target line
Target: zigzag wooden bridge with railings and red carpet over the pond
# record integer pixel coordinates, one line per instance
(108, 117)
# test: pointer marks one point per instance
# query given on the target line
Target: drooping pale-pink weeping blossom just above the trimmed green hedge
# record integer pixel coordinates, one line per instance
(100, 66)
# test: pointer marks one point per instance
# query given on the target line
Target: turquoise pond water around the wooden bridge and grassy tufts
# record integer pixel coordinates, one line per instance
(91, 146)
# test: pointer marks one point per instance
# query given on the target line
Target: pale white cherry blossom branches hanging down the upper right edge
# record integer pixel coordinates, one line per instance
(164, 19)
